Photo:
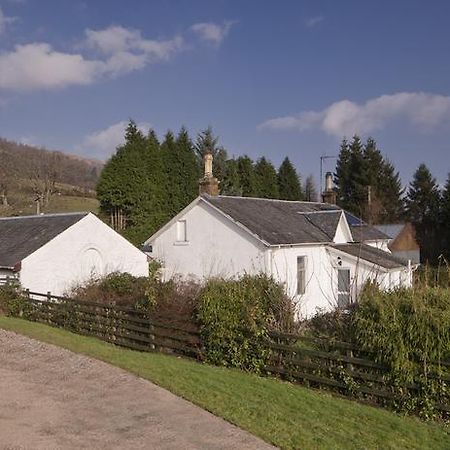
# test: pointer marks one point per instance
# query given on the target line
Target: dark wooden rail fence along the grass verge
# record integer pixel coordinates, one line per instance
(316, 362)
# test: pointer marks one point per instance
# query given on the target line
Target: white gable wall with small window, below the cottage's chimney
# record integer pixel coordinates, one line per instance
(215, 247)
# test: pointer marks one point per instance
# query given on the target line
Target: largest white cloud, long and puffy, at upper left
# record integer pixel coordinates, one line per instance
(121, 50)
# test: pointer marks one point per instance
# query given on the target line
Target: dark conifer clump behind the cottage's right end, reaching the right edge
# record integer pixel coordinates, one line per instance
(368, 185)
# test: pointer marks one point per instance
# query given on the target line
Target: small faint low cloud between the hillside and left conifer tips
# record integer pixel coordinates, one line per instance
(102, 143)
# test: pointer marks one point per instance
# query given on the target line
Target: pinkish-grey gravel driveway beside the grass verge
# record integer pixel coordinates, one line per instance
(51, 398)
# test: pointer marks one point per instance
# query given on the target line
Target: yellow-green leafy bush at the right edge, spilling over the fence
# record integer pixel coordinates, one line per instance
(408, 329)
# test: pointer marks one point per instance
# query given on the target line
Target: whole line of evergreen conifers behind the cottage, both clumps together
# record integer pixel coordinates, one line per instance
(146, 182)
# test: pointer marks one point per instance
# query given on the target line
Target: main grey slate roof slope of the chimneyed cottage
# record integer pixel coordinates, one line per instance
(280, 222)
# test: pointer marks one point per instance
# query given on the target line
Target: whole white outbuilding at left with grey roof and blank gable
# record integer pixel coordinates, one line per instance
(55, 252)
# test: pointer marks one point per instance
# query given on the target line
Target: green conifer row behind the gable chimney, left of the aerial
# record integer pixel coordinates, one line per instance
(146, 182)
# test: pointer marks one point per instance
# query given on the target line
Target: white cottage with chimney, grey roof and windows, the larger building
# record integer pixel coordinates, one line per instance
(321, 254)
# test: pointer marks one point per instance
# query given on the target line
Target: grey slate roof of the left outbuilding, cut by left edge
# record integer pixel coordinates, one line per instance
(22, 236)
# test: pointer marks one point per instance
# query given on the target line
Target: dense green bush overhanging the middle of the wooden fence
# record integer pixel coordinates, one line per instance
(235, 317)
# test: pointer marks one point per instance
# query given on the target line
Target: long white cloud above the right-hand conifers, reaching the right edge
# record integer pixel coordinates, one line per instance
(344, 118)
